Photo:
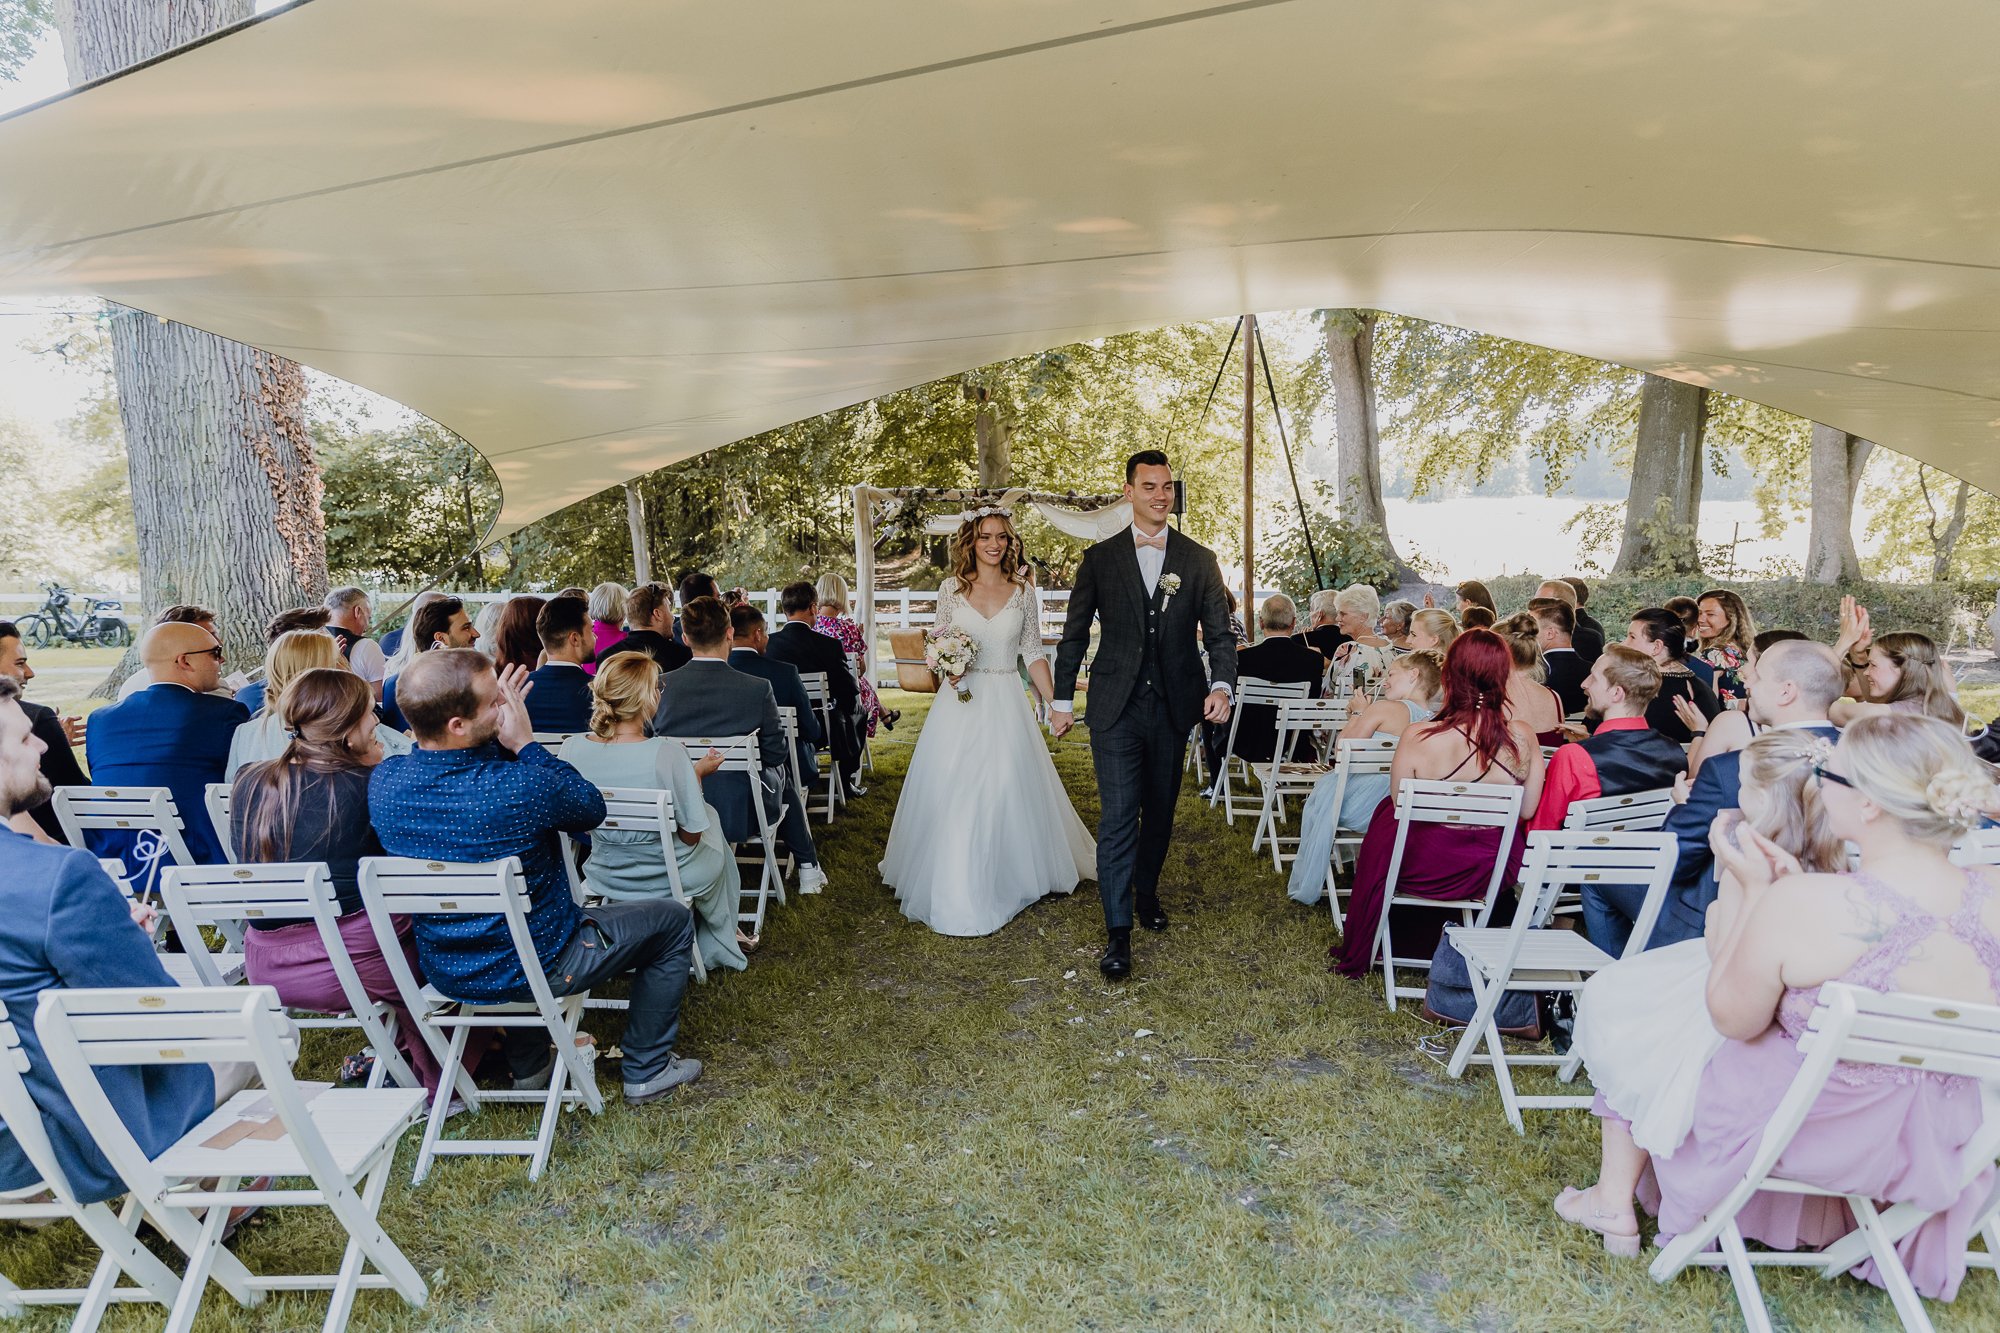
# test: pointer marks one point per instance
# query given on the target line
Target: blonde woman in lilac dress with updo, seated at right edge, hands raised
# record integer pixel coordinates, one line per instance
(1901, 790)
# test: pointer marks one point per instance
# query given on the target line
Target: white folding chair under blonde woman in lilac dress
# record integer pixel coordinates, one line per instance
(1859, 1028)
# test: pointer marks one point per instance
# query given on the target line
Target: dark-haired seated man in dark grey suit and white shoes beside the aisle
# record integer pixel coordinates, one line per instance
(713, 700)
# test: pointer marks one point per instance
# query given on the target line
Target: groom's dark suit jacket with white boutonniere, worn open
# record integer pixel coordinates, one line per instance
(1113, 591)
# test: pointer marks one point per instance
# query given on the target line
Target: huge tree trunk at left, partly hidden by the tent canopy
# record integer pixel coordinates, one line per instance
(225, 485)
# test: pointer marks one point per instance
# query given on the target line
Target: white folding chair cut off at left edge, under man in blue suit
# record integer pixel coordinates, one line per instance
(113, 1234)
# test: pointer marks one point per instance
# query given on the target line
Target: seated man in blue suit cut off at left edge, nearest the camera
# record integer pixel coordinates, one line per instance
(67, 926)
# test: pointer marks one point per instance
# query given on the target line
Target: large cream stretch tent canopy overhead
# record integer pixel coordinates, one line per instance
(607, 235)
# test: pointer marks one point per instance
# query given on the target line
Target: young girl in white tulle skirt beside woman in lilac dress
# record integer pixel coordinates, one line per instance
(1643, 1024)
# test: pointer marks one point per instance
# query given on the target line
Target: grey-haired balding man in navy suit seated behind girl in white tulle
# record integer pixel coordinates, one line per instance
(1791, 688)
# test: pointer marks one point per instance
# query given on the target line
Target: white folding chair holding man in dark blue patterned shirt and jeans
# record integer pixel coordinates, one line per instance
(409, 888)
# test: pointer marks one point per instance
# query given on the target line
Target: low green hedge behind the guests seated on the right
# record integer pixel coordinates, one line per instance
(1787, 603)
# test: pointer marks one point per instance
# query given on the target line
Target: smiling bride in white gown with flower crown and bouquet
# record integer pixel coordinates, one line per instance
(985, 826)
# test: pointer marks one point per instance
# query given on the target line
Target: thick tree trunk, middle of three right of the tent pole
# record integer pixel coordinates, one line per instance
(1667, 481)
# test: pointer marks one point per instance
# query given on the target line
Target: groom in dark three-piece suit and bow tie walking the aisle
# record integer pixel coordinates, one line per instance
(1149, 587)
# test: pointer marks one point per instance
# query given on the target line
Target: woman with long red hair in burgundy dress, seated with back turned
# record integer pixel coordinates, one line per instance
(1469, 742)
